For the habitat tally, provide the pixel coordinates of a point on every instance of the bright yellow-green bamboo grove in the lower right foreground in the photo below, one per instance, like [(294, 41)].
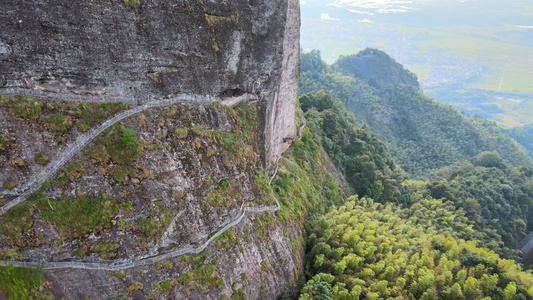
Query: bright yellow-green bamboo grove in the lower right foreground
[(365, 250)]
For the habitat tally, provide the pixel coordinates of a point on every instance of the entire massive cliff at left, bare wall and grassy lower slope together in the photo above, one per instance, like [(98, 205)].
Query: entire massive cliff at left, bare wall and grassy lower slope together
[(171, 200)]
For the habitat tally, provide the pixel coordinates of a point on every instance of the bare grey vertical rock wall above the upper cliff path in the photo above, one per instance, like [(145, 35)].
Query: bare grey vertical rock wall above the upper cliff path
[(136, 51)]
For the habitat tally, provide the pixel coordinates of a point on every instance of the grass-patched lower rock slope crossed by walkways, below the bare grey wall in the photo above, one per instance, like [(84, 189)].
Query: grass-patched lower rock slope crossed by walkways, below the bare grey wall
[(128, 213)]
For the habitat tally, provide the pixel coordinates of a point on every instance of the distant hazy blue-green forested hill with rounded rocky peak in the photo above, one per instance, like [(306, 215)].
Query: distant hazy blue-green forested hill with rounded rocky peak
[(422, 134)]
